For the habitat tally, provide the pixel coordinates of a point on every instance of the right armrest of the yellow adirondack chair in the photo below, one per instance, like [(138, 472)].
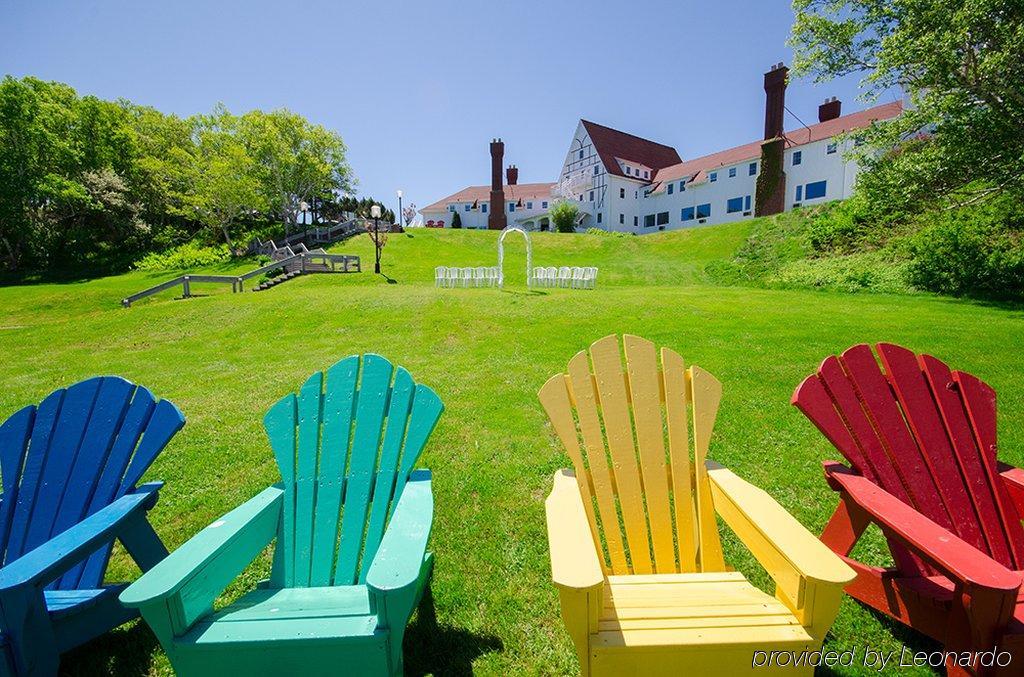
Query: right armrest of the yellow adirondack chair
[(808, 576)]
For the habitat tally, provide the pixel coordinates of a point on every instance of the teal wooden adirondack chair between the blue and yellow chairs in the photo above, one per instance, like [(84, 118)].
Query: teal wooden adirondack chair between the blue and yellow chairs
[(352, 521)]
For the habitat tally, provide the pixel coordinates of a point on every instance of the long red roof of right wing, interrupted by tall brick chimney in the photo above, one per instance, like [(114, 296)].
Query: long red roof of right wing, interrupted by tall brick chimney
[(698, 168)]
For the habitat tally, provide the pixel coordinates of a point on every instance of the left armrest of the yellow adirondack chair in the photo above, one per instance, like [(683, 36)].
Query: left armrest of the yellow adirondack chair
[(575, 563)]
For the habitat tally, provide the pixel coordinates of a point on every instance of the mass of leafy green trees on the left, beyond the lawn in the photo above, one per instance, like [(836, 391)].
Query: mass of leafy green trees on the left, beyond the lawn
[(86, 182)]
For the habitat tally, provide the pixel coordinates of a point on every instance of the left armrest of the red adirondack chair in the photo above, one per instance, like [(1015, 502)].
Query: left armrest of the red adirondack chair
[(946, 552)]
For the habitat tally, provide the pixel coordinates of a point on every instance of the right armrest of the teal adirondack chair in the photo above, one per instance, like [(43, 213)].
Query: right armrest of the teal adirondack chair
[(400, 558)]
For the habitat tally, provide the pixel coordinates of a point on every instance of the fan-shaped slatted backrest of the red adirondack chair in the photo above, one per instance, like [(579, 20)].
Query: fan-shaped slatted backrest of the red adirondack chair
[(910, 431)]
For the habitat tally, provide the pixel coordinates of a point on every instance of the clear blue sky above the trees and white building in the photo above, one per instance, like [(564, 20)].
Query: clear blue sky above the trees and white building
[(418, 90)]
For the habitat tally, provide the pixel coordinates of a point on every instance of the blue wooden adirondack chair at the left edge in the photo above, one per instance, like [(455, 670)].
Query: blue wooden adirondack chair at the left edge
[(69, 470)]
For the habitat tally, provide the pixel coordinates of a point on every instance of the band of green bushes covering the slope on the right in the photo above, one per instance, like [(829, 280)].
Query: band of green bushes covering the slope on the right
[(975, 251)]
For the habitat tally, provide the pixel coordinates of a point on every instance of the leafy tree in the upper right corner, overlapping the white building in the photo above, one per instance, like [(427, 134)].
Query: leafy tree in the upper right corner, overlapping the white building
[(960, 62)]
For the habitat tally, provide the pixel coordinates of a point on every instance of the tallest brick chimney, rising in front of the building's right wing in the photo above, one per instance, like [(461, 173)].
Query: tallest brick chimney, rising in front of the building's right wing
[(771, 191)]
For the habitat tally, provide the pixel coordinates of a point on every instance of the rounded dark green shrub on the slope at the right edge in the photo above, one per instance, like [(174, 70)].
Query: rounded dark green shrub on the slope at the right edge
[(976, 251)]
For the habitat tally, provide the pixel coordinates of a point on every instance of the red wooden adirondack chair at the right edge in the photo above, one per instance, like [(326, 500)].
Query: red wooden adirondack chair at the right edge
[(922, 443)]
